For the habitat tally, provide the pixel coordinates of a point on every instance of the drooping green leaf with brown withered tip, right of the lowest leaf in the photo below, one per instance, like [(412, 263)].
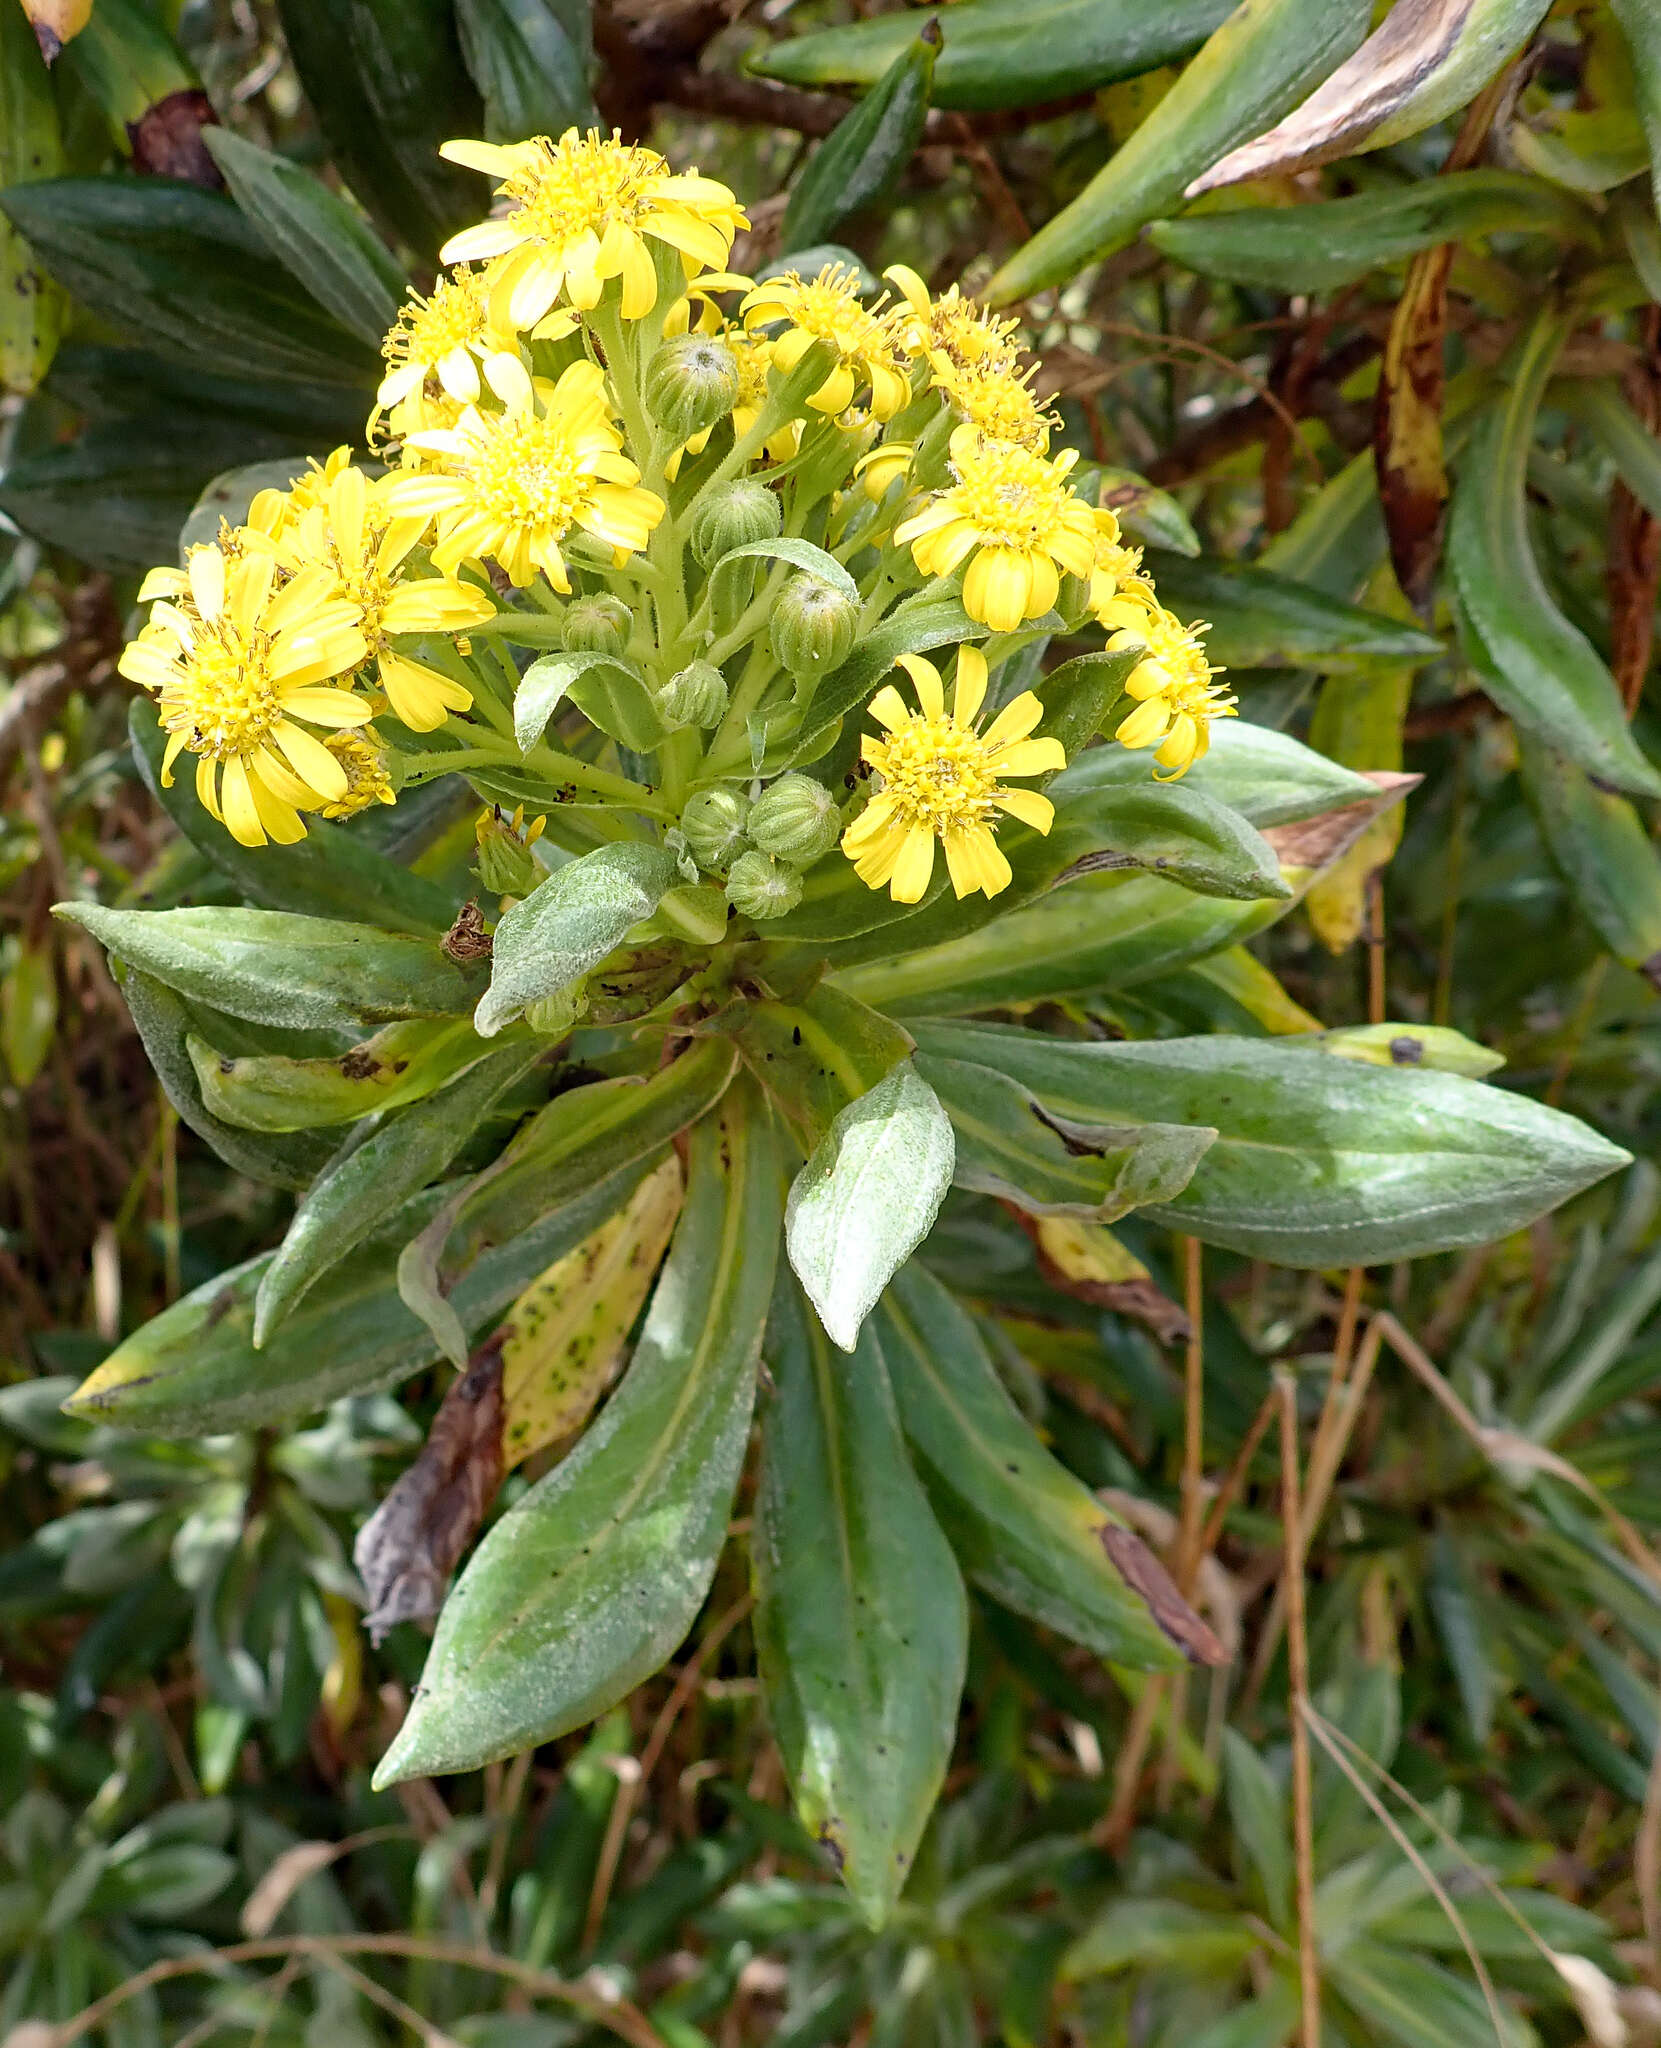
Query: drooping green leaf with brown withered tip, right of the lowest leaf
[(1021, 1525)]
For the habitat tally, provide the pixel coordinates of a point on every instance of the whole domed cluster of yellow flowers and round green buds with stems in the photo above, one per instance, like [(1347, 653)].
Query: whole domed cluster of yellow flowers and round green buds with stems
[(695, 497)]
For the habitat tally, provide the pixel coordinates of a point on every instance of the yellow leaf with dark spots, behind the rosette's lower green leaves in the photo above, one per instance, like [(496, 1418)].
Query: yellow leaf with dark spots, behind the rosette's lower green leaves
[(564, 1338)]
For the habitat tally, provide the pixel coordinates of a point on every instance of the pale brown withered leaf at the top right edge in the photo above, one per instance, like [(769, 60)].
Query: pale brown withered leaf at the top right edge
[(1422, 62)]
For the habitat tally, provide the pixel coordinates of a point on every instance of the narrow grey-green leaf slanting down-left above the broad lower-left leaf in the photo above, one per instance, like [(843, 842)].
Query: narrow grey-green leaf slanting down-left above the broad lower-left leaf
[(380, 1177)]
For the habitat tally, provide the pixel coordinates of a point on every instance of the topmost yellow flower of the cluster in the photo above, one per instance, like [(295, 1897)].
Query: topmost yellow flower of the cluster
[(581, 212)]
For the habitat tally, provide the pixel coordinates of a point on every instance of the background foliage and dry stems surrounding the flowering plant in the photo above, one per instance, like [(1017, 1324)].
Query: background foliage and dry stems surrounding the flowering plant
[(191, 1709)]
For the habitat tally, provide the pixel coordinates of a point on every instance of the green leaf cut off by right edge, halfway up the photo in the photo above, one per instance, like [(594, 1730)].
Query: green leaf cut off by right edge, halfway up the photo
[(1605, 853)]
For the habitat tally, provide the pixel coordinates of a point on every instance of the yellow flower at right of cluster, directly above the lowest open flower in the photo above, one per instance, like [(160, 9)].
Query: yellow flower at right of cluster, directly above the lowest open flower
[(1017, 517)]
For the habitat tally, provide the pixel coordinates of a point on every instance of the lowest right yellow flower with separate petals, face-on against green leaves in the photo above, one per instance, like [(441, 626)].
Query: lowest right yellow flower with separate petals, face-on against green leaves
[(943, 779)]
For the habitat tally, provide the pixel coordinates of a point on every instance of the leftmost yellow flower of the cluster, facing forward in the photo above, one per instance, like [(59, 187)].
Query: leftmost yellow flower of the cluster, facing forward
[(237, 663)]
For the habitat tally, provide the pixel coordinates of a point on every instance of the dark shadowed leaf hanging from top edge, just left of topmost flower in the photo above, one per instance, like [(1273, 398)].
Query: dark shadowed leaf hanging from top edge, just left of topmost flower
[(388, 85)]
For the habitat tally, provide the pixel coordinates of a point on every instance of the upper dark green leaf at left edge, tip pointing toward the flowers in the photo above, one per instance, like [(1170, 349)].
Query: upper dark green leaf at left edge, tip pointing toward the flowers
[(185, 271)]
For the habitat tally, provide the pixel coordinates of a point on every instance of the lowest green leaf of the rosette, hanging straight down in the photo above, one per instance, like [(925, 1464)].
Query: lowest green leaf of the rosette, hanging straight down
[(861, 1623)]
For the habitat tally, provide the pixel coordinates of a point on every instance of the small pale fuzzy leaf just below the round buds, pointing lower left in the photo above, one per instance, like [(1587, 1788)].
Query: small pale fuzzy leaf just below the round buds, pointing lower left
[(568, 925)]
